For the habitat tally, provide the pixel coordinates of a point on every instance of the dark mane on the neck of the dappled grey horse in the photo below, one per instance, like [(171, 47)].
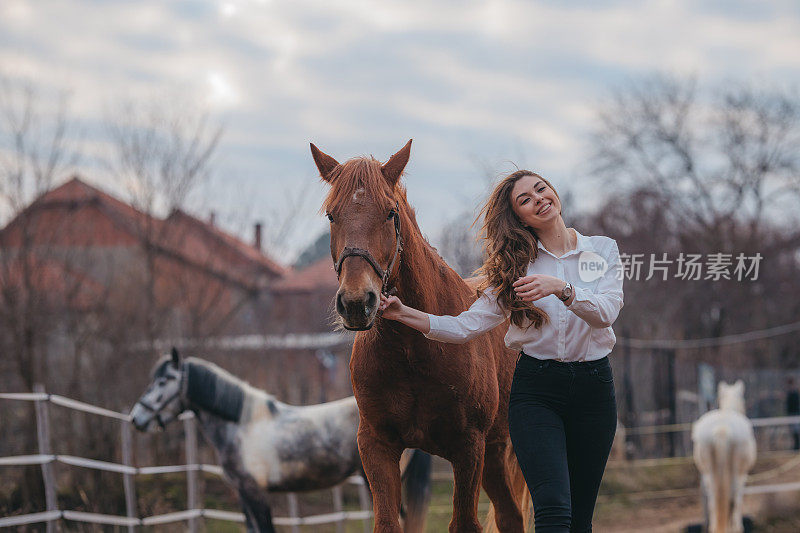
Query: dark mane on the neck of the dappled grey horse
[(214, 389)]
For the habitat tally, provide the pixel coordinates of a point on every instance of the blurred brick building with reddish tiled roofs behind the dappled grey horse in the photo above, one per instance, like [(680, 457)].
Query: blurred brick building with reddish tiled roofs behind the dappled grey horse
[(77, 251)]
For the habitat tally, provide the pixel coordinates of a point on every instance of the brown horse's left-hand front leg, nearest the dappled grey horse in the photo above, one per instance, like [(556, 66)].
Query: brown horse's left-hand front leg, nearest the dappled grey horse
[(381, 460)]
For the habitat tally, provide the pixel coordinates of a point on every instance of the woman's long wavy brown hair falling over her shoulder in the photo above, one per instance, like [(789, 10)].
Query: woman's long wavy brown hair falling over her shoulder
[(509, 247)]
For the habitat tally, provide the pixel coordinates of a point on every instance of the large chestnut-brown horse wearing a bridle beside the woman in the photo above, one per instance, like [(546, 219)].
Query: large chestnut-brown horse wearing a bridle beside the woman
[(449, 400)]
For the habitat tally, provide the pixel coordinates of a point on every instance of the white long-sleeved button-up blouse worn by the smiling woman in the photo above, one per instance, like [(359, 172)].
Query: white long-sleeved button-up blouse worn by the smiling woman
[(578, 332)]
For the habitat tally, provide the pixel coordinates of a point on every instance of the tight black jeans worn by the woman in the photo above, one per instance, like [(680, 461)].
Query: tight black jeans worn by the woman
[(562, 418)]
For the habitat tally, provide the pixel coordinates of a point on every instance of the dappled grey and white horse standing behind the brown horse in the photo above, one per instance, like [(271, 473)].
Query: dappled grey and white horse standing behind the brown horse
[(265, 446)]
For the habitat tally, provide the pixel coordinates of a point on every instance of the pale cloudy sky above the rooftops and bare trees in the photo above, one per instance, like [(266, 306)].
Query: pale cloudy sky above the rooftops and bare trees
[(476, 84)]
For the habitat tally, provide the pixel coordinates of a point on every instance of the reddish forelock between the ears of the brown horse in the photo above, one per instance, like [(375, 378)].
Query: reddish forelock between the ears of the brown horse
[(361, 173)]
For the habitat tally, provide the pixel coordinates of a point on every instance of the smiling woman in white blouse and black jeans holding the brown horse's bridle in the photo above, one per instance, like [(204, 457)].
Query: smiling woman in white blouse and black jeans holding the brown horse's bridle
[(562, 409)]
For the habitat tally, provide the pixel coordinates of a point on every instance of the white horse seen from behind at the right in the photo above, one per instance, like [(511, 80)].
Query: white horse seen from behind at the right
[(724, 451)]
